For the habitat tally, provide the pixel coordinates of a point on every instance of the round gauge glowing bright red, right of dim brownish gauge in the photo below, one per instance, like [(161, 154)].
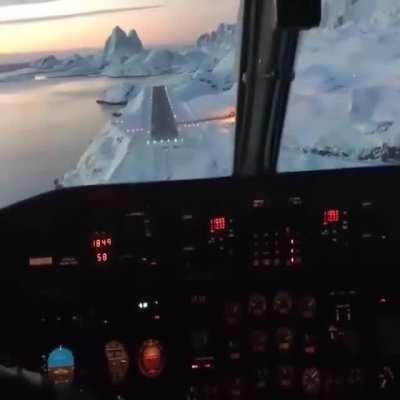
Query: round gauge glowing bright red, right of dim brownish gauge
[(151, 359)]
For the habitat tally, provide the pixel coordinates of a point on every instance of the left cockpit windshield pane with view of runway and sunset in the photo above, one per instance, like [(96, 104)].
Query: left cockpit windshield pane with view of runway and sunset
[(115, 91)]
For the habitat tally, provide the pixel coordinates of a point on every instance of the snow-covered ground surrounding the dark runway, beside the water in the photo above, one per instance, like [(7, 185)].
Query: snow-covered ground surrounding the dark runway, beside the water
[(126, 152)]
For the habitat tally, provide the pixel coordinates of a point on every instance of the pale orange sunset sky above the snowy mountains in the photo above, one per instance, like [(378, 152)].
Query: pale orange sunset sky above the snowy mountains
[(39, 26)]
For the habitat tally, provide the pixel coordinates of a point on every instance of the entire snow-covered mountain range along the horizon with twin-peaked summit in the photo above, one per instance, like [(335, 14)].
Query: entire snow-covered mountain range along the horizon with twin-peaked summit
[(210, 60)]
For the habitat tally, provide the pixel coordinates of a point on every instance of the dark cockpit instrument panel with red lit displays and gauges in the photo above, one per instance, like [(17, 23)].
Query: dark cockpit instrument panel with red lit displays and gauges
[(208, 290)]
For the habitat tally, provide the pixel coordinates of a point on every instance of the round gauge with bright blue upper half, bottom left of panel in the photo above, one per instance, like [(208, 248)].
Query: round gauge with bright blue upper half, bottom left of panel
[(61, 366)]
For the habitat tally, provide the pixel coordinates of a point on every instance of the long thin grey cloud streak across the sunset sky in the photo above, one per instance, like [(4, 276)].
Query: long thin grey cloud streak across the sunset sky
[(70, 16)]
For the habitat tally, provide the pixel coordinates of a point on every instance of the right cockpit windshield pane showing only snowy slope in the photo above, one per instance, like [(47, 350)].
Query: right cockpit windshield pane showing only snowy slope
[(344, 104)]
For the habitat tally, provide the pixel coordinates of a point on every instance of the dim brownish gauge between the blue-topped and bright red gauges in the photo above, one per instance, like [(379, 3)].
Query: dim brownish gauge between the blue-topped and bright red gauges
[(118, 361)]
